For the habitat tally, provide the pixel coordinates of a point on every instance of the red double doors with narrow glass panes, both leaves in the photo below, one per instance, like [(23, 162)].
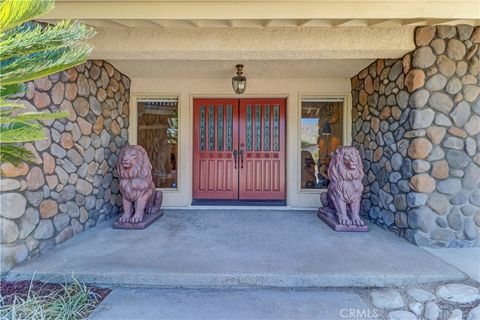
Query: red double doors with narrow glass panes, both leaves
[(239, 149)]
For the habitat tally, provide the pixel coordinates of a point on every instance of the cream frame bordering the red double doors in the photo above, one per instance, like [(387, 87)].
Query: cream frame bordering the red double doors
[(286, 97)]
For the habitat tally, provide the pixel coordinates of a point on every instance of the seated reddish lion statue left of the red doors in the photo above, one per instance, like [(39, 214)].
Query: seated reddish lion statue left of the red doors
[(136, 185)]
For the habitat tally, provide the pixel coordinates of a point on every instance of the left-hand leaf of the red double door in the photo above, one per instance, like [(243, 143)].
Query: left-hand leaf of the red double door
[(215, 172)]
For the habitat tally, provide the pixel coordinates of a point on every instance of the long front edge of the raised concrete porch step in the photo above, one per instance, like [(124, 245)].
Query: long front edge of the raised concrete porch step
[(241, 280)]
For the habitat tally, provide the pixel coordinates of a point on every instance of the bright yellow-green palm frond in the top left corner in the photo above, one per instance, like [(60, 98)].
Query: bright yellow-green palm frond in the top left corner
[(16, 12)]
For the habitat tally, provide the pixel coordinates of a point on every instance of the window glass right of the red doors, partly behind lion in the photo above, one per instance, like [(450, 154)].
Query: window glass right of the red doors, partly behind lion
[(321, 126)]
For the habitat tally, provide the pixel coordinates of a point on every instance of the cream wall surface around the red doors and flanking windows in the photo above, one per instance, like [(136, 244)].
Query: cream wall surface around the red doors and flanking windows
[(292, 89)]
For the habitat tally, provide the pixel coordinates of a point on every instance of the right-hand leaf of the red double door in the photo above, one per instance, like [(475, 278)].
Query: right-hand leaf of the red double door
[(262, 149)]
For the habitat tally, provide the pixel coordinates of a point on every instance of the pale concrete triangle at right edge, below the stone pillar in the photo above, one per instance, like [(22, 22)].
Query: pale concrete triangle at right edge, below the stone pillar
[(464, 259)]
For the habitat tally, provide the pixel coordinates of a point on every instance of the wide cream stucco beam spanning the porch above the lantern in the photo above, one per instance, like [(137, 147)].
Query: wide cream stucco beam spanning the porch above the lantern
[(244, 44)]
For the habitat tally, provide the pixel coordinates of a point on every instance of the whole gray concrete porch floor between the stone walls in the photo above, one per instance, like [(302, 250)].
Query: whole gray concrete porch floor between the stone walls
[(233, 248)]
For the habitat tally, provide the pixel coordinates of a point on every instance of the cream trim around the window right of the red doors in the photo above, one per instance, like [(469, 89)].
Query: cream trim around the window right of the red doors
[(346, 130)]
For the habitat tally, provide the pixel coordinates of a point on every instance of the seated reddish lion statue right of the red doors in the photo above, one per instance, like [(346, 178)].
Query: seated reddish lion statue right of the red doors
[(344, 192)]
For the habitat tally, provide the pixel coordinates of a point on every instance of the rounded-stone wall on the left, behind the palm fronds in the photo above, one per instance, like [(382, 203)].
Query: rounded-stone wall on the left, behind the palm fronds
[(72, 184)]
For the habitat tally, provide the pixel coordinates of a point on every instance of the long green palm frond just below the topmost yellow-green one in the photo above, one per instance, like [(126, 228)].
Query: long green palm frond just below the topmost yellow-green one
[(33, 37)]
